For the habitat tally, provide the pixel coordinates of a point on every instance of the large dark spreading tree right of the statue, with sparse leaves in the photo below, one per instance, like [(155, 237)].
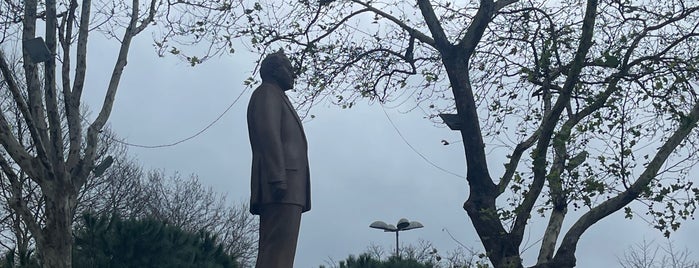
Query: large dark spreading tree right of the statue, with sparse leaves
[(594, 103)]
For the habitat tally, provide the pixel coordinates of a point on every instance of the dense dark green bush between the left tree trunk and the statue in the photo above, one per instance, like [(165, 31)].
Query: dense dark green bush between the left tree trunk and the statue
[(110, 241)]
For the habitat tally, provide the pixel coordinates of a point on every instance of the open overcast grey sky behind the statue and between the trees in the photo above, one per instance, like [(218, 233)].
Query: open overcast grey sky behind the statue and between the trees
[(361, 169)]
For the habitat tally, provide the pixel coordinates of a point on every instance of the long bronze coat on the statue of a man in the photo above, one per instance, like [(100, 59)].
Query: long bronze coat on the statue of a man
[(279, 149)]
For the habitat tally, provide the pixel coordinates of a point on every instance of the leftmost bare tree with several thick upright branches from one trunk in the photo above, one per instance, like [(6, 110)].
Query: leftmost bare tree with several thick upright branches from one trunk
[(59, 175)]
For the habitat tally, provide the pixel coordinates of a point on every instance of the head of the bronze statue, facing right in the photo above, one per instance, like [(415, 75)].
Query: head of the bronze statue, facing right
[(276, 68)]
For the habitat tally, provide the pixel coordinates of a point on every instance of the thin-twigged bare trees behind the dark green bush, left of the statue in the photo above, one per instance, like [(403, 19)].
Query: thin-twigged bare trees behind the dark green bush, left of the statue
[(125, 190)]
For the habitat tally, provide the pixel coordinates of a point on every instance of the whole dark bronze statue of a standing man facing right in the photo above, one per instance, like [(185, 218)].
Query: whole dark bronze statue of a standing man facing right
[(280, 185)]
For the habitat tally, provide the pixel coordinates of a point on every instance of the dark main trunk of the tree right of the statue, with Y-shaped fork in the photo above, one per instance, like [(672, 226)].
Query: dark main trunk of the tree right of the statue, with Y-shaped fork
[(501, 247)]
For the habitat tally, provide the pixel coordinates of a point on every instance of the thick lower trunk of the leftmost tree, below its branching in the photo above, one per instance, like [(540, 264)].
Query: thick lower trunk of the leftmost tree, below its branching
[(57, 247)]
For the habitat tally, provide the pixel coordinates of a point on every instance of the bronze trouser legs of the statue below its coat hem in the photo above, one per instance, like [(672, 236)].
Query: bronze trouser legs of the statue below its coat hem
[(279, 230)]
